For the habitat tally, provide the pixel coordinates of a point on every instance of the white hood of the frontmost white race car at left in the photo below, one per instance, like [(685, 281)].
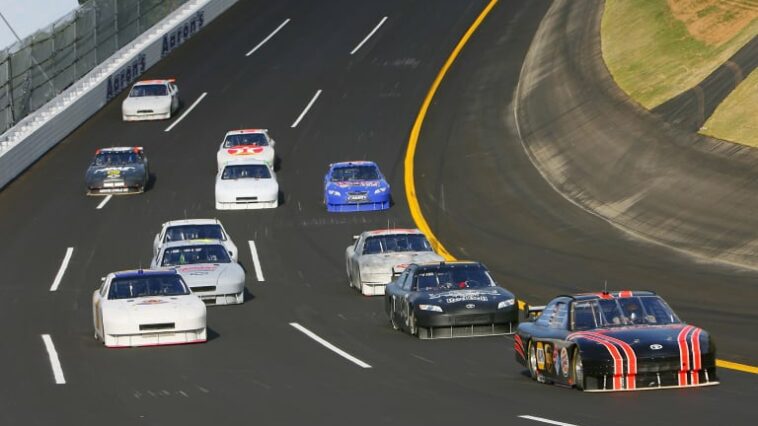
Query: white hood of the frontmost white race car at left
[(154, 309)]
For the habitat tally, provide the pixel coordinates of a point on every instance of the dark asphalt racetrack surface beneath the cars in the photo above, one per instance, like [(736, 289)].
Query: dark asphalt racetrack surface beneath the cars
[(478, 189)]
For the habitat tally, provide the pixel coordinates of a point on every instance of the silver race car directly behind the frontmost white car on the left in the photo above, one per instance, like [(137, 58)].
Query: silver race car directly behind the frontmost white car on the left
[(207, 269)]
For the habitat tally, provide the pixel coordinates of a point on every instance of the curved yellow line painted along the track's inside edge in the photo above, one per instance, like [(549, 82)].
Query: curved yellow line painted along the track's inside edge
[(410, 153)]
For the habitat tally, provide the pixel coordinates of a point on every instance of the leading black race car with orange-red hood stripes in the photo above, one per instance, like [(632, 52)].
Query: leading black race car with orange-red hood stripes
[(614, 341)]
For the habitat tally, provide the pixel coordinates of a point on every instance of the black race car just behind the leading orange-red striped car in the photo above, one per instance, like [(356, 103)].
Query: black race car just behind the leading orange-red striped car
[(449, 299)]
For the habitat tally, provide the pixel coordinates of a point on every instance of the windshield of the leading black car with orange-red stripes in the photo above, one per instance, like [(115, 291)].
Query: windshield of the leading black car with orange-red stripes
[(639, 310)]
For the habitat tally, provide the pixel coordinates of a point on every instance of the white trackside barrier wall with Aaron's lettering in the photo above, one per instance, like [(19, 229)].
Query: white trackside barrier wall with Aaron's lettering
[(31, 138)]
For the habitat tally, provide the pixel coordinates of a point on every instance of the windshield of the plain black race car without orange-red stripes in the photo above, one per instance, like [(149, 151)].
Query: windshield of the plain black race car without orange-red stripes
[(452, 277)]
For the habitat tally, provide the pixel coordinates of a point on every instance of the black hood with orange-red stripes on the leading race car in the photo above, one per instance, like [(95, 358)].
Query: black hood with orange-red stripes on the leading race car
[(650, 341)]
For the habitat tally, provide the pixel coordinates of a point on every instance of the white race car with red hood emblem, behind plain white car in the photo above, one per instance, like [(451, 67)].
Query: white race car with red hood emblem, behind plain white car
[(247, 143)]
